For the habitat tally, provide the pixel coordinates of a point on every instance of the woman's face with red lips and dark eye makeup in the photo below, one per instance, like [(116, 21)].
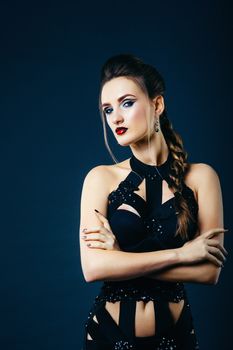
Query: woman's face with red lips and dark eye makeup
[(126, 106)]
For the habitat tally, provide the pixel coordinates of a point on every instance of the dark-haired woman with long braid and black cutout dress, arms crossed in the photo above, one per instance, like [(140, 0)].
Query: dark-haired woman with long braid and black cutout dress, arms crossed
[(148, 223)]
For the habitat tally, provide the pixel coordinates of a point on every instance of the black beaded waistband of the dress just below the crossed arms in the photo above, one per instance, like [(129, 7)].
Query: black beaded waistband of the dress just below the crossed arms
[(141, 289)]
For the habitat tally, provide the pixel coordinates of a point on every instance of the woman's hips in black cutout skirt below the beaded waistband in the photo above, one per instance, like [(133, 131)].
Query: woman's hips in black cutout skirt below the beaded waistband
[(163, 324)]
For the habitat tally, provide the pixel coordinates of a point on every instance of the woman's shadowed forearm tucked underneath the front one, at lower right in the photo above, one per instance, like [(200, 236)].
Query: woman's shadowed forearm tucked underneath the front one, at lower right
[(205, 272)]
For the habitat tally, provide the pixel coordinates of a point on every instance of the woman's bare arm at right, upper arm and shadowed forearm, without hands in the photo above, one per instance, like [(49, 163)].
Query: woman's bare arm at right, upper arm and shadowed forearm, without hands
[(210, 215)]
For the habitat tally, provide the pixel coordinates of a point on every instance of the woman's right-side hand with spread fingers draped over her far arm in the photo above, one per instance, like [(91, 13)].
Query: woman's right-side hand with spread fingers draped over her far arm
[(204, 247)]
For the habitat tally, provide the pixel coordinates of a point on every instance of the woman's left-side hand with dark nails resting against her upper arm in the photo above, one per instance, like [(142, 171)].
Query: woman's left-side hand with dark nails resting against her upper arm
[(104, 238)]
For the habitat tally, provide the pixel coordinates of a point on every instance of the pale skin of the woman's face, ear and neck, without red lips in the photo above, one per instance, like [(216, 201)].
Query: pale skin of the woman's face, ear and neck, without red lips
[(134, 118)]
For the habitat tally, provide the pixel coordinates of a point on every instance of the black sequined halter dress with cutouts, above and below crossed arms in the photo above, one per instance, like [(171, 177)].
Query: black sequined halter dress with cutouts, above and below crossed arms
[(151, 228)]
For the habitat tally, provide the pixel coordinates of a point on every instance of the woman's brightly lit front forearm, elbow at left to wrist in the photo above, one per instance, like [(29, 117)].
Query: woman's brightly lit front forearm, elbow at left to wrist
[(120, 265)]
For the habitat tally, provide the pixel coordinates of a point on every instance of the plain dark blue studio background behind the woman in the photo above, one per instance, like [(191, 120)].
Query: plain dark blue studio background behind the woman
[(51, 136)]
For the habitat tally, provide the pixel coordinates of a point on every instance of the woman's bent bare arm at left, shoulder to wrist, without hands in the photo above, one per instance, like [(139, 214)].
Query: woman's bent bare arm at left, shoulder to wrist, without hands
[(99, 264)]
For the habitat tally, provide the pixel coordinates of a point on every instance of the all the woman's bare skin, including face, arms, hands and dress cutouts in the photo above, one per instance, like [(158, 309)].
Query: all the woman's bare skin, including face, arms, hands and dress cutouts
[(198, 261)]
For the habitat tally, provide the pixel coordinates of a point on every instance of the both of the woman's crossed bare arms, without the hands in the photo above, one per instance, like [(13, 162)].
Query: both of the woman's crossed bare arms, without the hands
[(167, 265)]
